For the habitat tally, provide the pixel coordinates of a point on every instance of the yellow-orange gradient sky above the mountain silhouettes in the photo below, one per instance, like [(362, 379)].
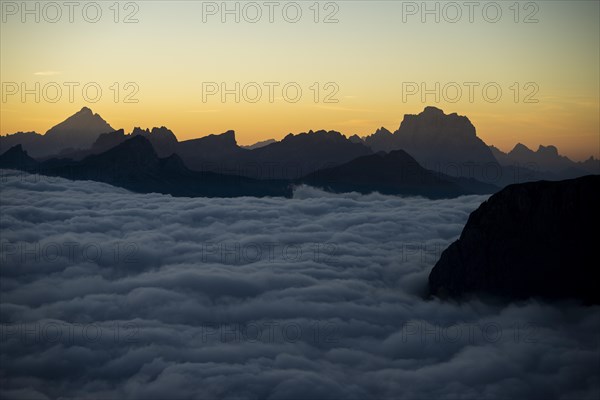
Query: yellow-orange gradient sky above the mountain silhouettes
[(370, 54)]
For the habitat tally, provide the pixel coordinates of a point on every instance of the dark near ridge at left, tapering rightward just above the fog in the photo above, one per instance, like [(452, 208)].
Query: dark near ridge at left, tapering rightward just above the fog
[(134, 165)]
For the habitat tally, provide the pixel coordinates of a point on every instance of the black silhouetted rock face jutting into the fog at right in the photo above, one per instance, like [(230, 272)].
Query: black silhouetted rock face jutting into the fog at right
[(531, 239)]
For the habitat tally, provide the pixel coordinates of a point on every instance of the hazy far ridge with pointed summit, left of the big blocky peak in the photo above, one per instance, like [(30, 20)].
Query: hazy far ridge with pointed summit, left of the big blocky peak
[(291, 158)]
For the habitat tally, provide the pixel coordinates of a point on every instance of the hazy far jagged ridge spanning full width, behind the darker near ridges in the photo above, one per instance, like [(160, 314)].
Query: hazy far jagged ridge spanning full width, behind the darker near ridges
[(446, 144)]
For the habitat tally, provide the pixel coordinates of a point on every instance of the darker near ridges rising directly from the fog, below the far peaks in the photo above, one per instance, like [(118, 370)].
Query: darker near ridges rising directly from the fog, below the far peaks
[(135, 165)]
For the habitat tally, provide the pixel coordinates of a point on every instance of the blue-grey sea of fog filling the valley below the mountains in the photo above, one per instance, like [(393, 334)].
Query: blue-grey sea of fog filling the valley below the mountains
[(110, 294)]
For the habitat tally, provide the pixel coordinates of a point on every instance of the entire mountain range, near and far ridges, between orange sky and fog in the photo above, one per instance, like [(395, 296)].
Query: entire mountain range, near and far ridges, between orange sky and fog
[(431, 154)]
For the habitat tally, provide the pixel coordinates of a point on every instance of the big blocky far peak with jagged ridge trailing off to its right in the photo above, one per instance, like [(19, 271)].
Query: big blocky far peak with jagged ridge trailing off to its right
[(449, 144)]
